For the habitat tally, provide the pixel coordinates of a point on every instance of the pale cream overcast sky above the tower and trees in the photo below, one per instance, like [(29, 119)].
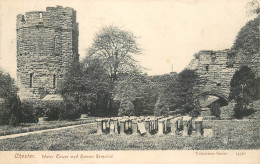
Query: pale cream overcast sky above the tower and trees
[(170, 32)]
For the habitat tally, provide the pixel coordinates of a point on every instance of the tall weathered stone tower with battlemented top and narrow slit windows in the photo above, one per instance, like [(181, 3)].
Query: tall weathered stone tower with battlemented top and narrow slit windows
[(47, 46)]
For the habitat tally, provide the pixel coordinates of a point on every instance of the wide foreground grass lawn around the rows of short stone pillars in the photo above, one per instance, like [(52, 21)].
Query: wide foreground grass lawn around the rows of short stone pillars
[(229, 134)]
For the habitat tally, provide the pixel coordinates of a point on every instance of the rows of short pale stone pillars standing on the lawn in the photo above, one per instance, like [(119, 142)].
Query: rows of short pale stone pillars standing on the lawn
[(133, 125)]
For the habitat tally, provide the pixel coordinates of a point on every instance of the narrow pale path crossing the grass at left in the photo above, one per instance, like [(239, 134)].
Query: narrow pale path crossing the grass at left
[(41, 131)]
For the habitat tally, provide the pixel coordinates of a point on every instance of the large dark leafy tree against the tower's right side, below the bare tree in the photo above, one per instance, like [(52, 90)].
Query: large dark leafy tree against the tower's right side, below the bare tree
[(86, 88)]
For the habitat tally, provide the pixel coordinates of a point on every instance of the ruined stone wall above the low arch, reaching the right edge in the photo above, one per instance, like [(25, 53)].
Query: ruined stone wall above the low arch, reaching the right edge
[(216, 69)]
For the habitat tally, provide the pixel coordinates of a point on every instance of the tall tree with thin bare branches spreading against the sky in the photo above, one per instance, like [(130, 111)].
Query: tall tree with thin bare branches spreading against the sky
[(115, 48)]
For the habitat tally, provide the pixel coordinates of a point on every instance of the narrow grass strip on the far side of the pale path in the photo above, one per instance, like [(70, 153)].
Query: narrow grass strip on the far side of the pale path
[(28, 127)]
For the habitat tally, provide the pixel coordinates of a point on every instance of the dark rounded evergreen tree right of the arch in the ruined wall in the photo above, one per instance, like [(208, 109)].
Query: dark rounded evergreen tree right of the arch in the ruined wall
[(243, 87)]
